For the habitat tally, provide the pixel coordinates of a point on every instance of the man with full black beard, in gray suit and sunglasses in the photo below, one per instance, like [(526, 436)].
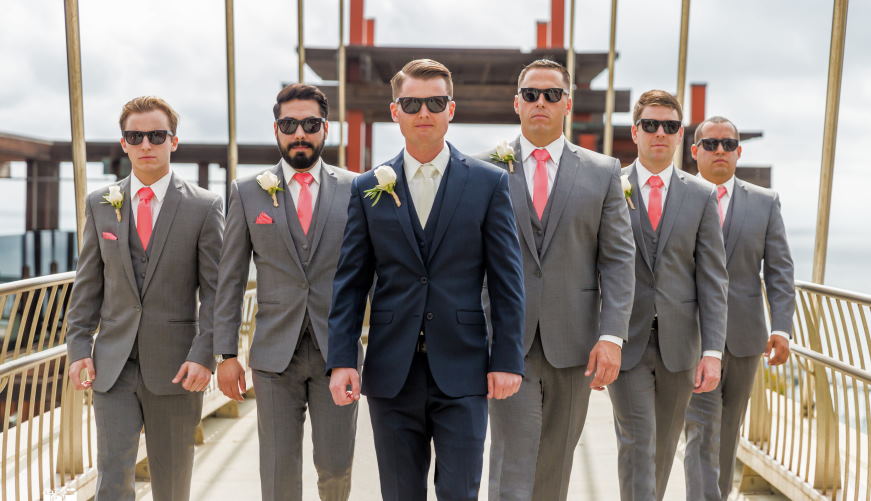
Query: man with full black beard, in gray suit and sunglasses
[(290, 218)]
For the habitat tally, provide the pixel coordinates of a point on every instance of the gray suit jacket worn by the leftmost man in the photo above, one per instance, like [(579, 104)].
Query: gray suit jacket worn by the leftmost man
[(185, 248)]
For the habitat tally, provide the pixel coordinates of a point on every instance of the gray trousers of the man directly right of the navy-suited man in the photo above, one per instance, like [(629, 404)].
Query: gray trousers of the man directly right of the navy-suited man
[(534, 433)]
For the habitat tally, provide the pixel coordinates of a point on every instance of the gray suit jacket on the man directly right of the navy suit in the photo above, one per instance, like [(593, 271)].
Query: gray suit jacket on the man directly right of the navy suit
[(580, 285)]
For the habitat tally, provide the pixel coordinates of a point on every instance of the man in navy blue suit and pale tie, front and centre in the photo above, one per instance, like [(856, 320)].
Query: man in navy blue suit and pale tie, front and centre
[(428, 371)]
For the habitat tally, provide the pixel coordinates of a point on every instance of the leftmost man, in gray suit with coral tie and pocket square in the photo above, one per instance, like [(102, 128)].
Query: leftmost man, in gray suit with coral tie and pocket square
[(151, 247)]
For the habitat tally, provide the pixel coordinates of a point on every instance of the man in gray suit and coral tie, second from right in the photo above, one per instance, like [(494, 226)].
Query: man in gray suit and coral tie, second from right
[(678, 326)]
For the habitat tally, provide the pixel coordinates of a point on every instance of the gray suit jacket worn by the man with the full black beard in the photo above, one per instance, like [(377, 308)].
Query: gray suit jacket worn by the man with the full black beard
[(284, 288)]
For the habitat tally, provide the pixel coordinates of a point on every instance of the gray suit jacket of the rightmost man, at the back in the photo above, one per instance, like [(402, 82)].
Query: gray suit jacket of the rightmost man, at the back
[(756, 237)]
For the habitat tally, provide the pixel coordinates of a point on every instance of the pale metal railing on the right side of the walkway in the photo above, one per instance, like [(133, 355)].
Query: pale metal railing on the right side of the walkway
[(809, 419)]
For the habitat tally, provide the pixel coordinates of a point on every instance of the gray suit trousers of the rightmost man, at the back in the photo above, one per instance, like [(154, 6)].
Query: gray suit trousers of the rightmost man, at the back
[(712, 426)]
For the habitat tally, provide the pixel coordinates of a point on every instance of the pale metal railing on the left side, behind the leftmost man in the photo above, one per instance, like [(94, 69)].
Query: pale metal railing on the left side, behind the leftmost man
[(47, 439)]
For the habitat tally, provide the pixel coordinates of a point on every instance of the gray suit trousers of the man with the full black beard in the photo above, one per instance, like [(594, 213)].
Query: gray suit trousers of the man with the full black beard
[(282, 399)]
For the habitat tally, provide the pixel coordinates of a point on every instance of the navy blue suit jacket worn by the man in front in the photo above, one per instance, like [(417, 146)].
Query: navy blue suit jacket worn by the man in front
[(475, 235)]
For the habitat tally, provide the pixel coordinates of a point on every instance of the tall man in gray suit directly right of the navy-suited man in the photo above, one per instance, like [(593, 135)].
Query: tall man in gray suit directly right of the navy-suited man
[(578, 254)]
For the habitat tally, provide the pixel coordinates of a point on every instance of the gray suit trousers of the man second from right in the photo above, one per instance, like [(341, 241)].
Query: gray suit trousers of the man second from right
[(649, 408)]
